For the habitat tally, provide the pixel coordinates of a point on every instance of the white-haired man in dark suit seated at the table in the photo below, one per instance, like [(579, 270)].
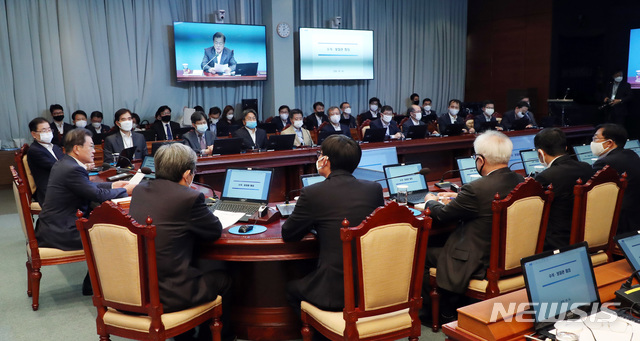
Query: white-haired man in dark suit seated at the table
[(465, 254)]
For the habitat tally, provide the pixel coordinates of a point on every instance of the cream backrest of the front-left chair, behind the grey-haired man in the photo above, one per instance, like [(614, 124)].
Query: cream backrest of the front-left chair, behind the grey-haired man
[(121, 256)]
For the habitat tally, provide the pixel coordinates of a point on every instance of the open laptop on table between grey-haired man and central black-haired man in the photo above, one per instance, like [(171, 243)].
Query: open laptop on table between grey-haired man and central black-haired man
[(245, 190)]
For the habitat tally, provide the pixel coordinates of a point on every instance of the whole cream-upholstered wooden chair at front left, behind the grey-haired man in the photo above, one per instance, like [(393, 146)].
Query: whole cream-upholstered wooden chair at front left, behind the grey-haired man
[(121, 255)]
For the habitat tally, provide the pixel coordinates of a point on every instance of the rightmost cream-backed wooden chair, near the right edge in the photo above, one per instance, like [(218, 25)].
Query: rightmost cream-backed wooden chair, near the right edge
[(596, 209)]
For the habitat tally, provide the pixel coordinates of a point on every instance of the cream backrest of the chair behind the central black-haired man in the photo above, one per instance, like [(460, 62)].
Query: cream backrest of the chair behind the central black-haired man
[(390, 250)]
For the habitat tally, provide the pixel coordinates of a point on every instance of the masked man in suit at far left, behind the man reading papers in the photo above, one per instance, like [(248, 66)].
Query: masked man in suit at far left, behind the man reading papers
[(42, 155)]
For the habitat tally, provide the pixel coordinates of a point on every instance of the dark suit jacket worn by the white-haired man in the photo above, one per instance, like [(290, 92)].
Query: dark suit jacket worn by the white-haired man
[(466, 251)]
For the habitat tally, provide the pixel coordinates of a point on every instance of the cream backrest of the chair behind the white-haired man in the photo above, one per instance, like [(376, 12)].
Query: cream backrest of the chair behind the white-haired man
[(518, 229)]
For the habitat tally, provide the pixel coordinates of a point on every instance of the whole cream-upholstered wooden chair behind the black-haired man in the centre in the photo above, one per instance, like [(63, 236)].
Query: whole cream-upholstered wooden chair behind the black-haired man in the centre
[(390, 250)]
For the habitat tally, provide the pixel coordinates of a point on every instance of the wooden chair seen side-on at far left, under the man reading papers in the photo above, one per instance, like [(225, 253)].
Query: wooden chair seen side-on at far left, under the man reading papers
[(37, 257)]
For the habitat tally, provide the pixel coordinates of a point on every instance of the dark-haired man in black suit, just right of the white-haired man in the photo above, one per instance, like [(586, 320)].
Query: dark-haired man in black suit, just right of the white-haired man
[(562, 172)]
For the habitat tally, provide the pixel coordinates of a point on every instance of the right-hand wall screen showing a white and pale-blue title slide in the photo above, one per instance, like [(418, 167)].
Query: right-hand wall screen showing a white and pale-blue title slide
[(327, 54)]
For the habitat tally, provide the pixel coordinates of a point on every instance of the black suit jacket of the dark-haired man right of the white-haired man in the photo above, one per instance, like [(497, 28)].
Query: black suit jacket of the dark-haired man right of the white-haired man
[(563, 173)]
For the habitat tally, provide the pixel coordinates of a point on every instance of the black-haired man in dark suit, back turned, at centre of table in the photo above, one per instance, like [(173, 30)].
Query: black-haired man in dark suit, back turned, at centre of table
[(350, 198)]
